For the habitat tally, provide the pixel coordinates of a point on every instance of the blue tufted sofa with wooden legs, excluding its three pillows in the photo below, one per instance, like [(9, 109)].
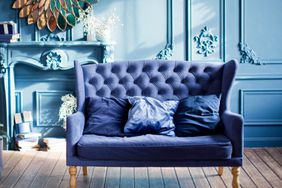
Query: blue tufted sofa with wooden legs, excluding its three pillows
[(162, 80)]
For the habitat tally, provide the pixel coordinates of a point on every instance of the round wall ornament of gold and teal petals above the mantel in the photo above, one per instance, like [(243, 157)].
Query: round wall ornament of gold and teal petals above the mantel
[(54, 14)]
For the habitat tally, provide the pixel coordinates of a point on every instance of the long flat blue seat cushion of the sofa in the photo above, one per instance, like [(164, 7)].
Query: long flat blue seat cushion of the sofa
[(154, 147)]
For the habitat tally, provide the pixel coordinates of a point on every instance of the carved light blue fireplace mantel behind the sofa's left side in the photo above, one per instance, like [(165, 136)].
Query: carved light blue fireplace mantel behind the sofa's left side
[(24, 65)]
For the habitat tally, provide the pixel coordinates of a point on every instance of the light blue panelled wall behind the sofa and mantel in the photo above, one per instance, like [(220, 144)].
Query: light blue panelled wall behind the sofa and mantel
[(255, 24)]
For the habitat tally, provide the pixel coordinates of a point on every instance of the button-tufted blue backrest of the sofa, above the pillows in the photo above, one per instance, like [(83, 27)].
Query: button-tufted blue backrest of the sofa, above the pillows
[(155, 78)]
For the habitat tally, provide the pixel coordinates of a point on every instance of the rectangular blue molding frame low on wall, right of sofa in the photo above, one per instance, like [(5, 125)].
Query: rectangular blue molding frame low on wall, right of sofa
[(258, 121)]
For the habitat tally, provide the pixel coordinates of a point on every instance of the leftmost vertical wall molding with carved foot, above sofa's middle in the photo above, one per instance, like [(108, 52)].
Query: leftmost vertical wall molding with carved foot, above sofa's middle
[(167, 52)]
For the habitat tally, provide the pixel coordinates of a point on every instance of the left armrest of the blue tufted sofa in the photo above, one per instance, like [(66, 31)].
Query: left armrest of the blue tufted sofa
[(75, 126)]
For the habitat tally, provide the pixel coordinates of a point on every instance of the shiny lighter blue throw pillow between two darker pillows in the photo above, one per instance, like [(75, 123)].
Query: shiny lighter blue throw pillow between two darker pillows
[(150, 116)]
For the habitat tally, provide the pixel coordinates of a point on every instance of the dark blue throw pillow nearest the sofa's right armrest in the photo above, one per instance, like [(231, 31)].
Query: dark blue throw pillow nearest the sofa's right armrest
[(197, 115)]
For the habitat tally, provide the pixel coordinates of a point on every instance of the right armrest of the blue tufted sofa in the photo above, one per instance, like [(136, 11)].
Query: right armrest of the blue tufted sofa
[(233, 129)]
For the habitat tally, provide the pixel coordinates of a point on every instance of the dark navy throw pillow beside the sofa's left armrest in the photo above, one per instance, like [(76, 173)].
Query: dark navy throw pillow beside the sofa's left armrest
[(106, 116)]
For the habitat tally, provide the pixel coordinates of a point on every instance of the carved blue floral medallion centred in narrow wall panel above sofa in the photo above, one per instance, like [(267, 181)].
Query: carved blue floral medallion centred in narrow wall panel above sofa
[(206, 42)]
